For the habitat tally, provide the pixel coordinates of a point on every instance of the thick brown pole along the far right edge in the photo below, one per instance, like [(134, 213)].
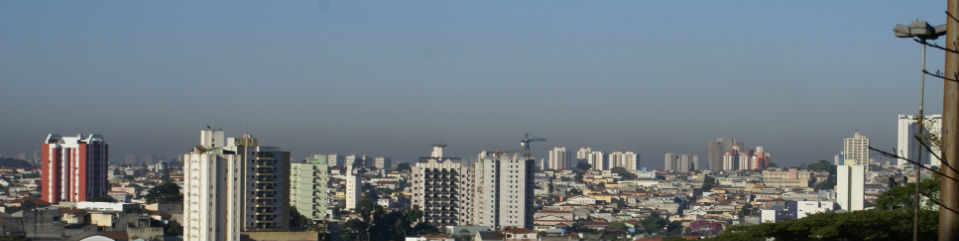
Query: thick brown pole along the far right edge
[(949, 221)]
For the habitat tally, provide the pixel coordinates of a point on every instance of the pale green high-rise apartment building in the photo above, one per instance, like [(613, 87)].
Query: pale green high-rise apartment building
[(308, 187)]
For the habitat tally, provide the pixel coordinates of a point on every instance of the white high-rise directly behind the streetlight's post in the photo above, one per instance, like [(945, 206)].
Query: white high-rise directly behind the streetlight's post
[(908, 145)]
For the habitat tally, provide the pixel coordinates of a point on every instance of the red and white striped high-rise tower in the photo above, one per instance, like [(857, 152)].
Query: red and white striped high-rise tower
[(74, 168)]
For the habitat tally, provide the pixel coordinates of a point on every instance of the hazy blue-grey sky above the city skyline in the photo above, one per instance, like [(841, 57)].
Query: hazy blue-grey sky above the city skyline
[(392, 78)]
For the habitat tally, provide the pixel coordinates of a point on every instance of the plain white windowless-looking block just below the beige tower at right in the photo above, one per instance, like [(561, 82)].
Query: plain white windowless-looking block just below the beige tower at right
[(850, 184)]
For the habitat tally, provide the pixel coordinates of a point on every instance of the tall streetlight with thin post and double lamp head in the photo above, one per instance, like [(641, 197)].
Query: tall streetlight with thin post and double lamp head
[(920, 31)]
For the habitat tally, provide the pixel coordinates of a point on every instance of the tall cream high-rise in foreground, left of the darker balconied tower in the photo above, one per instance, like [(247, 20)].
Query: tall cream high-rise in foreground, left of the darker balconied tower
[(212, 200)]
